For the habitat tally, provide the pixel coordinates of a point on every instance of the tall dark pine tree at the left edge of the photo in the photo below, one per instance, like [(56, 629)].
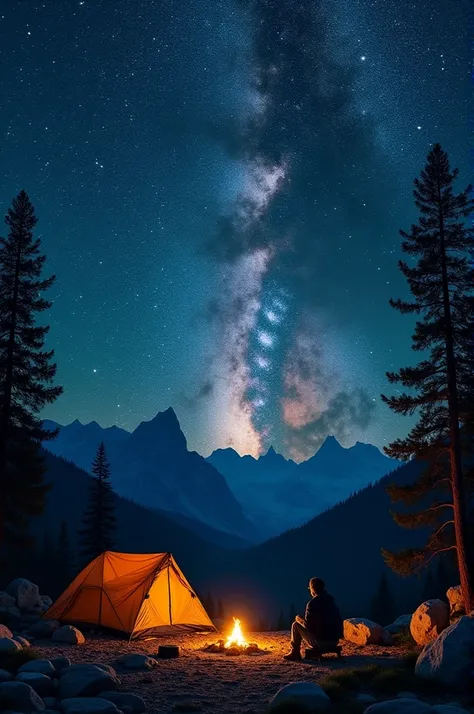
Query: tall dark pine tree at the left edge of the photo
[(26, 373)]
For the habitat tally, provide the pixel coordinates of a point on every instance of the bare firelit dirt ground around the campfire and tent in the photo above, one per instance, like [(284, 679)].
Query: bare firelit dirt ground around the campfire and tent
[(211, 683)]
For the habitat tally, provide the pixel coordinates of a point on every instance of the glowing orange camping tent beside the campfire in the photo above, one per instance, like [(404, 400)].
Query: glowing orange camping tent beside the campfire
[(142, 595)]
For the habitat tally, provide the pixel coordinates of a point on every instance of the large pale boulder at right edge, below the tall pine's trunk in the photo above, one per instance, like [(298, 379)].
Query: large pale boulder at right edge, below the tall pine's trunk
[(449, 660)]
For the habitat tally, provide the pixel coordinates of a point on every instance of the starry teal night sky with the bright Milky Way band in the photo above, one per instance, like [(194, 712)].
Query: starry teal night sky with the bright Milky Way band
[(219, 186)]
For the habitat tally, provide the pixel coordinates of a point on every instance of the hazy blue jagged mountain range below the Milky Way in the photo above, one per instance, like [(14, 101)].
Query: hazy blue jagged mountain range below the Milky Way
[(249, 498)]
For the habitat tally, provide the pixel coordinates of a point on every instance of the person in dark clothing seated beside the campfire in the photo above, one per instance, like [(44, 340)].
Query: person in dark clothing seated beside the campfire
[(322, 626)]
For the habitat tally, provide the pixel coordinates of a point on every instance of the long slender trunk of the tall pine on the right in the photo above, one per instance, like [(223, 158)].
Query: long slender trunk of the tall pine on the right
[(455, 453)]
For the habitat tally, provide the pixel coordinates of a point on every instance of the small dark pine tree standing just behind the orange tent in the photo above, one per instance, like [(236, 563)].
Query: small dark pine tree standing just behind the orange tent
[(98, 524)]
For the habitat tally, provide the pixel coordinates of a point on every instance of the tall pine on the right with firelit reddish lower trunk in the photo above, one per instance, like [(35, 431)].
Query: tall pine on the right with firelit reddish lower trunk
[(441, 386)]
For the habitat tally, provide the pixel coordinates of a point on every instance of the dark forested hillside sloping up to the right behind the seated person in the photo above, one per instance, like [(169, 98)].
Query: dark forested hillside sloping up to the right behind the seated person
[(341, 545)]
